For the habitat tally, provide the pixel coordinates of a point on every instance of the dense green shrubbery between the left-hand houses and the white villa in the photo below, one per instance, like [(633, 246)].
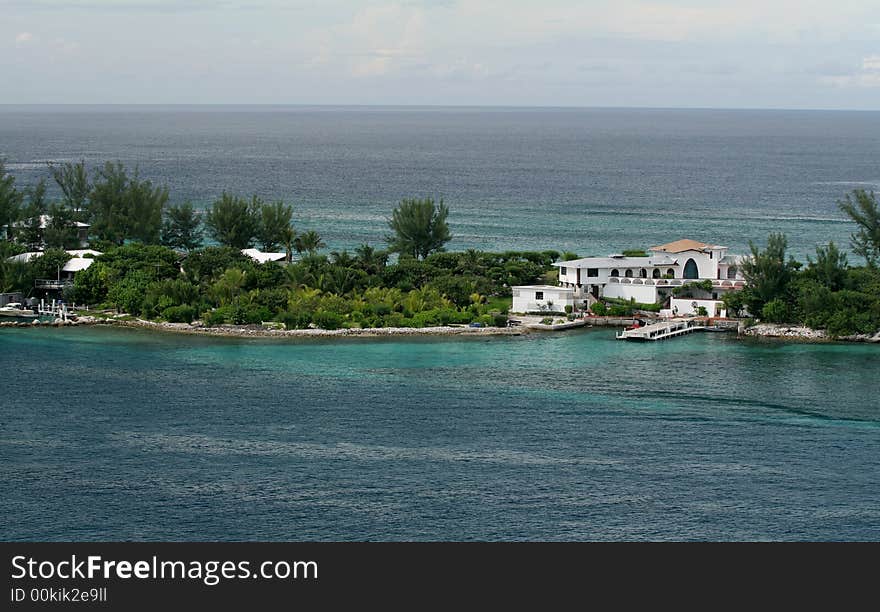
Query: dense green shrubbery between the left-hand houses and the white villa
[(221, 286)]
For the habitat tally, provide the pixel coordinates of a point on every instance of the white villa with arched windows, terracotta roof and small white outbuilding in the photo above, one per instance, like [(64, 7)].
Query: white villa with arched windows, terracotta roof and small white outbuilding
[(648, 280)]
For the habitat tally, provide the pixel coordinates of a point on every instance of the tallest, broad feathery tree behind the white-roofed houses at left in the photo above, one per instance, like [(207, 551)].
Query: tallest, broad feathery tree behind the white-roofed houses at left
[(125, 208)]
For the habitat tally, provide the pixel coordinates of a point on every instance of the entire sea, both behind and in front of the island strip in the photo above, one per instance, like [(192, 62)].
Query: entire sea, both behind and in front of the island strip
[(130, 435)]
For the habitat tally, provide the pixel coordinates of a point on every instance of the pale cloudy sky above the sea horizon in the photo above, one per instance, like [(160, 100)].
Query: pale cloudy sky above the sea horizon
[(632, 53)]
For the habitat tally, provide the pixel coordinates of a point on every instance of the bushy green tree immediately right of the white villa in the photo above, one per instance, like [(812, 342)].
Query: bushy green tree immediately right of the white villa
[(767, 272)]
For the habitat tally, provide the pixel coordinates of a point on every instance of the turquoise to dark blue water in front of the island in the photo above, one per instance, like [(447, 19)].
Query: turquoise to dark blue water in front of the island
[(123, 434)]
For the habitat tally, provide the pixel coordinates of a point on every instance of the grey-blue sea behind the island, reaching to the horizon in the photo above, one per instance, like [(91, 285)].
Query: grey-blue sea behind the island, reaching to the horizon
[(593, 181)]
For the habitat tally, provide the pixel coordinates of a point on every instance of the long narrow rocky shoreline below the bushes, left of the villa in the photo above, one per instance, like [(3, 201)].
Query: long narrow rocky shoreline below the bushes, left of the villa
[(259, 331)]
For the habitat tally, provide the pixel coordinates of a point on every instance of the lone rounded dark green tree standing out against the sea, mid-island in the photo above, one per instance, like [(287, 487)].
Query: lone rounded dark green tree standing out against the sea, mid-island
[(419, 227)]
